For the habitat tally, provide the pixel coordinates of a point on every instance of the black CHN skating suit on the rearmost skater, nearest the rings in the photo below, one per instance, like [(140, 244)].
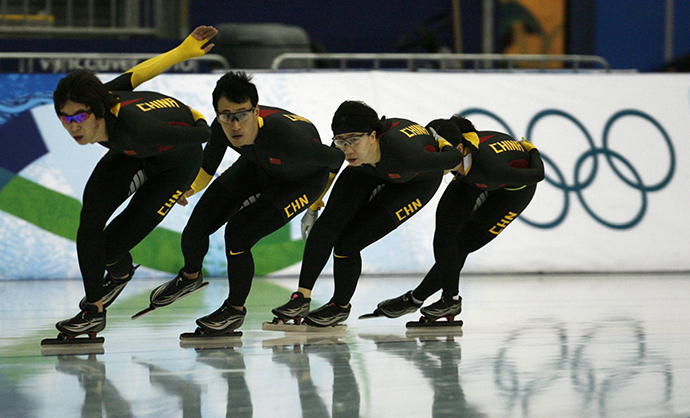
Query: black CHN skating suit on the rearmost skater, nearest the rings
[(498, 183)]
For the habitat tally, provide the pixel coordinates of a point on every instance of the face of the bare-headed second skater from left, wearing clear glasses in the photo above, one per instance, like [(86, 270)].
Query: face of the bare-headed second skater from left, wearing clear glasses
[(240, 121)]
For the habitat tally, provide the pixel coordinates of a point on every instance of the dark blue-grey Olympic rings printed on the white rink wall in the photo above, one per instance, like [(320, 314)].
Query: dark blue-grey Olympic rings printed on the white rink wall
[(581, 182)]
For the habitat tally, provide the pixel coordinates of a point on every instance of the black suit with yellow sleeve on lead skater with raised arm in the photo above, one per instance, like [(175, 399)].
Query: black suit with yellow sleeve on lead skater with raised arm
[(154, 152)]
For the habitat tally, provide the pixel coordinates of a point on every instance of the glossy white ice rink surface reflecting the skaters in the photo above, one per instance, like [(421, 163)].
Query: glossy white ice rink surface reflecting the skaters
[(531, 346)]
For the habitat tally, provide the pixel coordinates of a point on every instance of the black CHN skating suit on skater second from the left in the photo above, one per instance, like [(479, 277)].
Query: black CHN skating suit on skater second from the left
[(280, 175)]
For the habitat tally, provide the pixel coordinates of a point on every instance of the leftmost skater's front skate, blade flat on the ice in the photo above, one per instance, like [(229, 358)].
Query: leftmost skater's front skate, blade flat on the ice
[(89, 322)]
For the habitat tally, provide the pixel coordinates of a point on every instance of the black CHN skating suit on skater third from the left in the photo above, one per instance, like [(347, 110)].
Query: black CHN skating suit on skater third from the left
[(367, 202)]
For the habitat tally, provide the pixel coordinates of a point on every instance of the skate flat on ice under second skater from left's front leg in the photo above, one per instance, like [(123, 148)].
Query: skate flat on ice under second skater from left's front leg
[(220, 325)]
